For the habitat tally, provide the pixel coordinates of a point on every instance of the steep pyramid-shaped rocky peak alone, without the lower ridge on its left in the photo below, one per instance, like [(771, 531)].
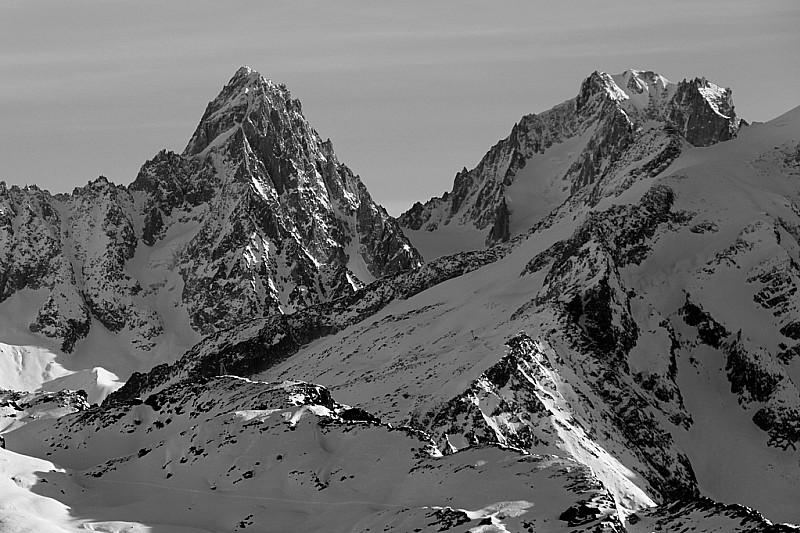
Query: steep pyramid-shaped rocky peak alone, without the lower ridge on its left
[(318, 233)]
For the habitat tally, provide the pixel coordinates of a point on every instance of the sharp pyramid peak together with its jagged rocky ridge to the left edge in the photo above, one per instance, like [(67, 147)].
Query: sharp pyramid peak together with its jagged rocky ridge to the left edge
[(257, 217)]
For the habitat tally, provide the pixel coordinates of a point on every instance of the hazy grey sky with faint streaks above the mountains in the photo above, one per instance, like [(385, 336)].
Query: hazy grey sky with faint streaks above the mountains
[(409, 92)]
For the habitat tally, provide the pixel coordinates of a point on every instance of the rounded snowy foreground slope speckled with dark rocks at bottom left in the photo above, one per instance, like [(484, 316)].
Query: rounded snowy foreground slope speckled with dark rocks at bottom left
[(235, 455)]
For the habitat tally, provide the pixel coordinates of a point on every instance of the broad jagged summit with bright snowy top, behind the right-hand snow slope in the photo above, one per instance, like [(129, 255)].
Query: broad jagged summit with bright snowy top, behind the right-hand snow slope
[(609, 128)]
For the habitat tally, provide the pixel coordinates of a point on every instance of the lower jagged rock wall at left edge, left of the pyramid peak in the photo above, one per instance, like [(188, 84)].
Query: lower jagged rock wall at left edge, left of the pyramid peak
[(77, 247)]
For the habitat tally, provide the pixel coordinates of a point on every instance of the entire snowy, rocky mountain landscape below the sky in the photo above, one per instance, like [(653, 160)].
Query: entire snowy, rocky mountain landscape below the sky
[(603, 336)]
